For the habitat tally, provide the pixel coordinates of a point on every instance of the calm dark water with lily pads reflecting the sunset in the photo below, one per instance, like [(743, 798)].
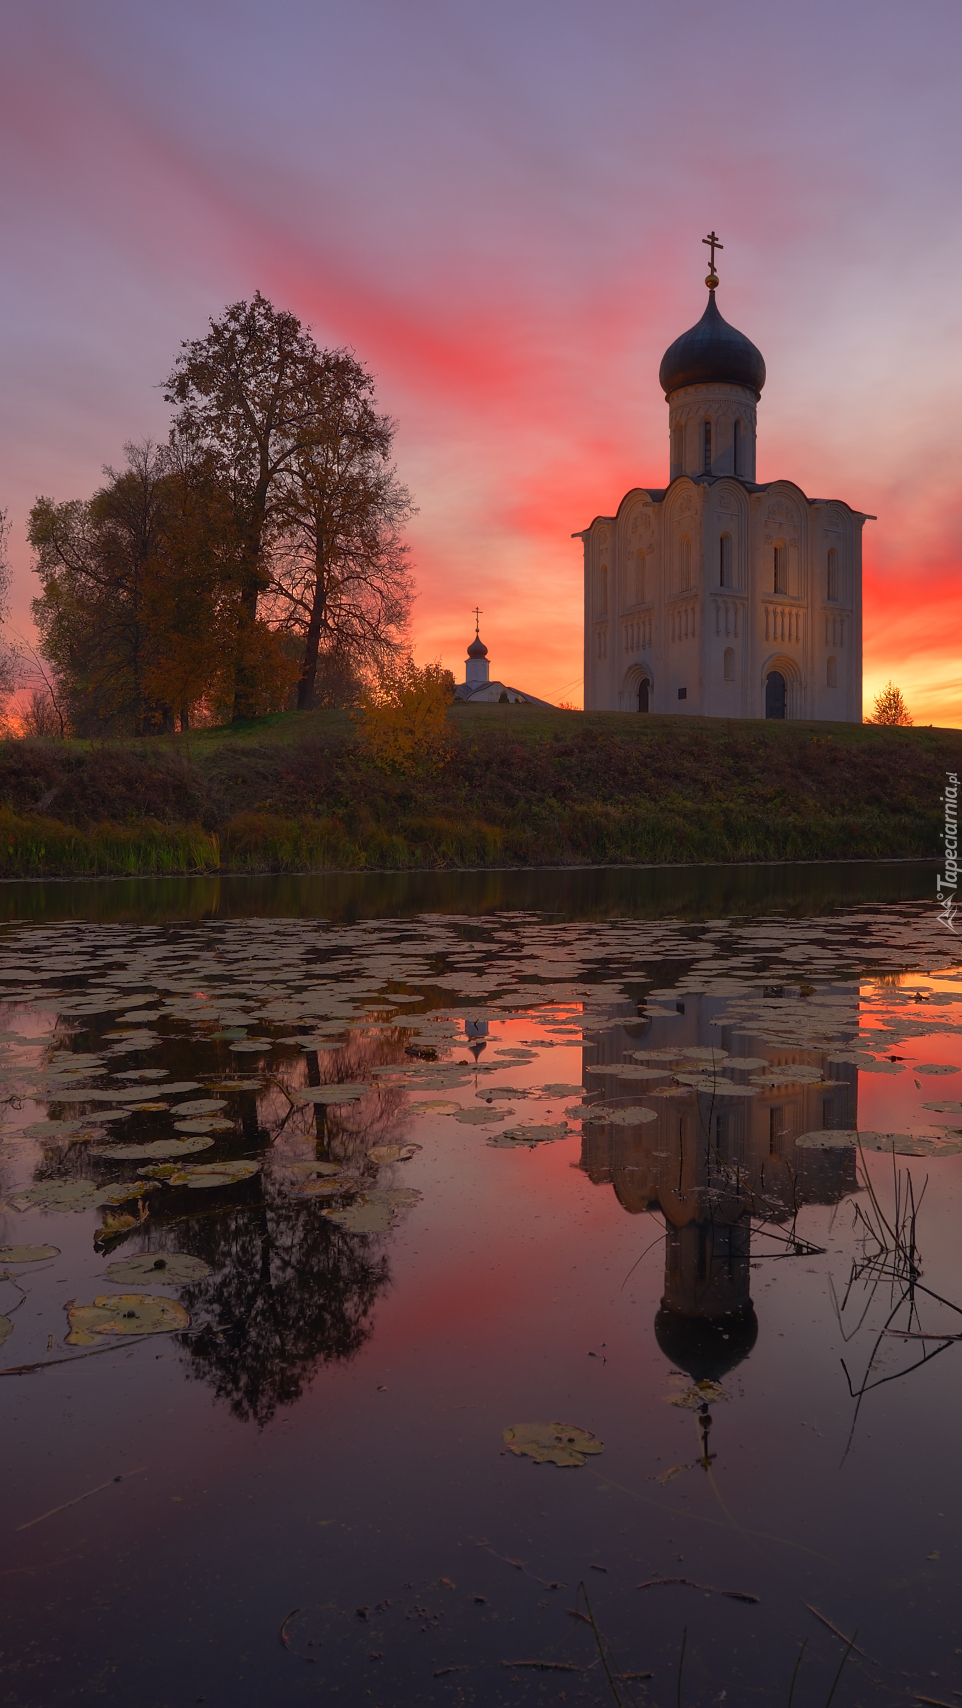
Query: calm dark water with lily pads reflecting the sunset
[(319, 1191)]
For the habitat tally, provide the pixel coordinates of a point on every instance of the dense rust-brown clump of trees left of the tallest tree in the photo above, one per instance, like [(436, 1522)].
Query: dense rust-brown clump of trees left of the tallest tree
[(141, 605)]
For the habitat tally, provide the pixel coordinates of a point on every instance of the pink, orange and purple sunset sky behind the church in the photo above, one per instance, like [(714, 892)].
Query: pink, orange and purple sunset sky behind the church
[(502, 208)]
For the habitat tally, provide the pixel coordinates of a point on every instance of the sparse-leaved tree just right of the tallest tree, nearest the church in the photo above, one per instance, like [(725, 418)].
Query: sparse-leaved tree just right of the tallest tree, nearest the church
[(339, 566)]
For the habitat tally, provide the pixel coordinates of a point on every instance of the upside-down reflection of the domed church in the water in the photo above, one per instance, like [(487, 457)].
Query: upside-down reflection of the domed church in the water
[(712, 1169)]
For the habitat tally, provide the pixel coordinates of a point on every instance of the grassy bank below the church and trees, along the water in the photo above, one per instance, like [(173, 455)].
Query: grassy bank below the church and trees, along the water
[(525, 788)]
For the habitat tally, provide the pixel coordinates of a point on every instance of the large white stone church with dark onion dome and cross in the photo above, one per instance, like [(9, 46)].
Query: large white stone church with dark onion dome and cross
[(715, 595)]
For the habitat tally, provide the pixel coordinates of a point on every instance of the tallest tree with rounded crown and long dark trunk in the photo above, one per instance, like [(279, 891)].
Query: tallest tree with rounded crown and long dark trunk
[(249, 394)]
